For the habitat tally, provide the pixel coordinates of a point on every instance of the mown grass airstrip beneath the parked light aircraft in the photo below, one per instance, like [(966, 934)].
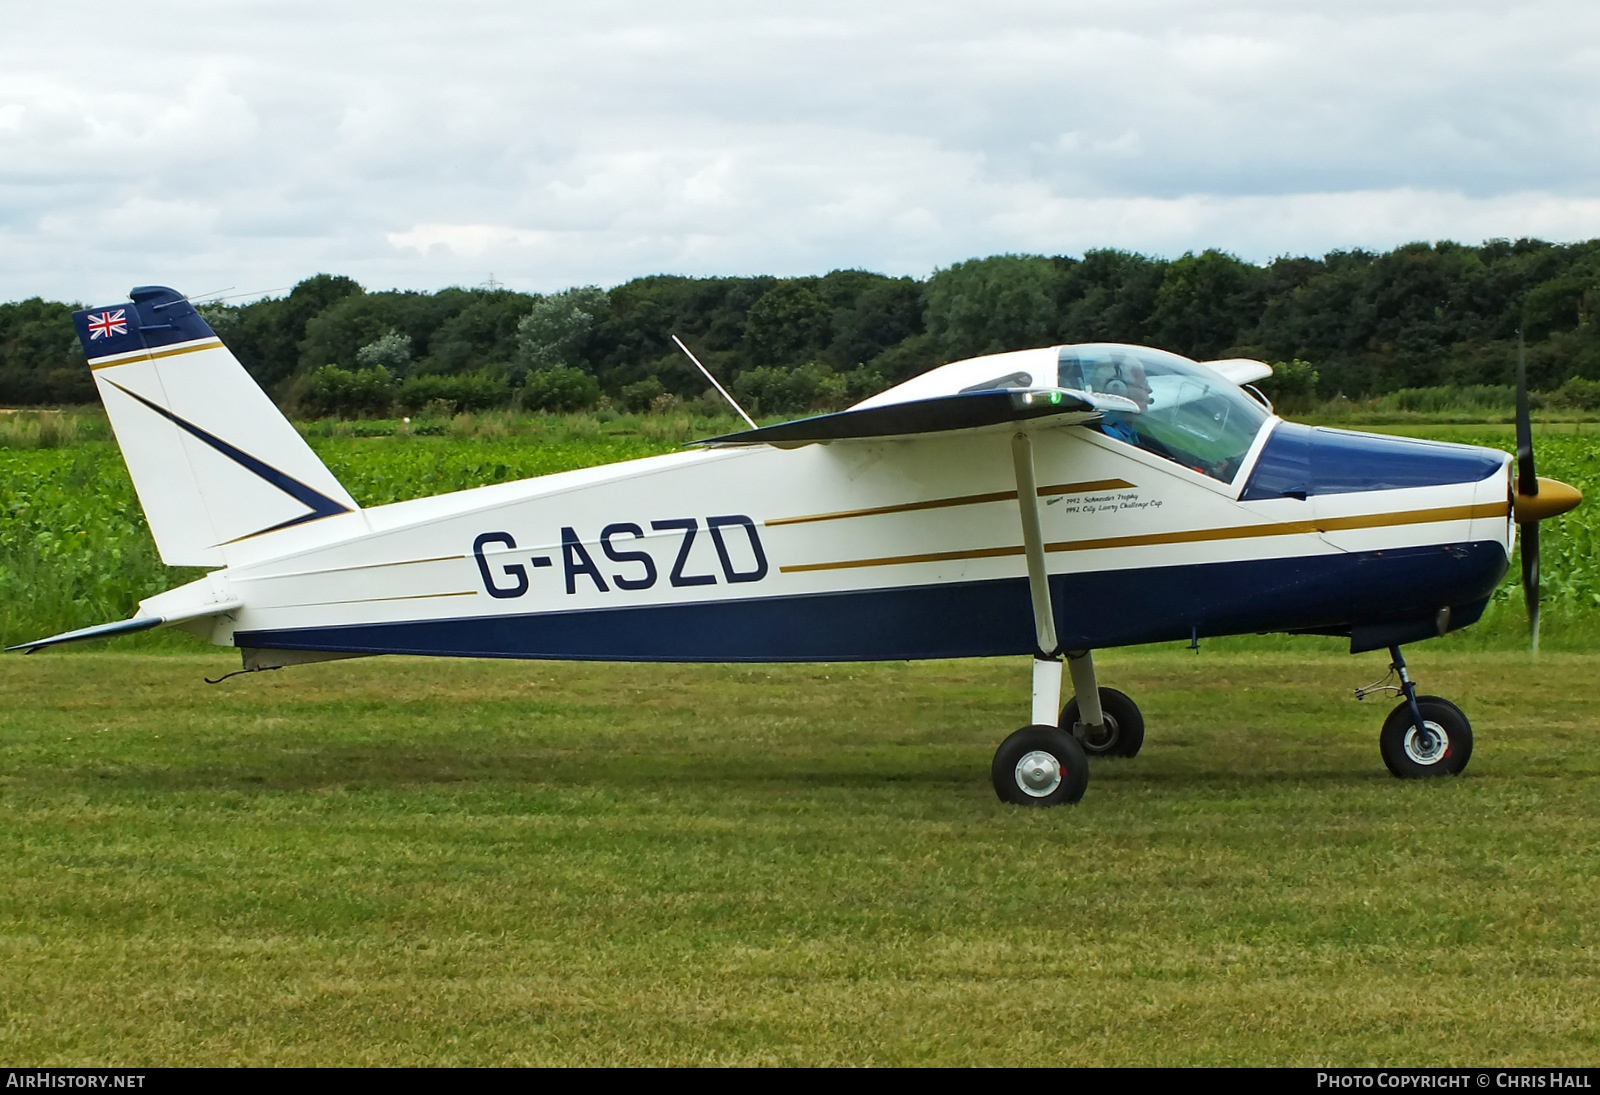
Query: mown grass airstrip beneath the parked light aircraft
[(478, 864)]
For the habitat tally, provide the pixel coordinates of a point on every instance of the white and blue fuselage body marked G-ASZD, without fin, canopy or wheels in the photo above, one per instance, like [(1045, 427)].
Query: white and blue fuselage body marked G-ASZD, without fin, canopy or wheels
[(884, 550)]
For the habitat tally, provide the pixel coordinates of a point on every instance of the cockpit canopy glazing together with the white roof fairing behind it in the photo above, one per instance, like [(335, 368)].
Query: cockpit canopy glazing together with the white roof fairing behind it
[(1182, 411)]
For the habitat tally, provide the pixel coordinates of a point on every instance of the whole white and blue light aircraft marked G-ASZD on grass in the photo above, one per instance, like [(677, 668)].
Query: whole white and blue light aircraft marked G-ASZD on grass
[(1050, 502)]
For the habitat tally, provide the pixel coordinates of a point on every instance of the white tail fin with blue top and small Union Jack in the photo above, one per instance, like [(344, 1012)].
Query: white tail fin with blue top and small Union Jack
[(212, 459)]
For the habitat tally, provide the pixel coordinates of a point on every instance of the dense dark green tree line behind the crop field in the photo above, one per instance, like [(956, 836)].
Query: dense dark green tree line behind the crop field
[(1350, 323)]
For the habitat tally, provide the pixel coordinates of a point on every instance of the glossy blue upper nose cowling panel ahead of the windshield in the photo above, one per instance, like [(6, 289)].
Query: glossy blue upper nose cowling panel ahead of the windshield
[(1300, 462)]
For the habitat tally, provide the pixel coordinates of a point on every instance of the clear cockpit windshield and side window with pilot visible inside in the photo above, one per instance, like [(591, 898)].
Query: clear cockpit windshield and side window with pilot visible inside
[(1186, 414)]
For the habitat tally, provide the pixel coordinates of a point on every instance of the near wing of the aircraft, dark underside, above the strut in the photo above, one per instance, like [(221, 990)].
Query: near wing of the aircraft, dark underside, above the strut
[(964, 411)]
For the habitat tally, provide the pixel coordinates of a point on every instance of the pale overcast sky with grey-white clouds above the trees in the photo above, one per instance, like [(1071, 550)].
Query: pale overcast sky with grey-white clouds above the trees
[(422, 145)]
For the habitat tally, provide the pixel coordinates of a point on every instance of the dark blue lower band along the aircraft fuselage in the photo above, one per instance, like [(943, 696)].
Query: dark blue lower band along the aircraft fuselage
[(959, 620)]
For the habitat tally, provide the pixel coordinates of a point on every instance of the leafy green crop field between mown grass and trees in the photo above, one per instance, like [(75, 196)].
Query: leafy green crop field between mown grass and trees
[(74, 550)]
